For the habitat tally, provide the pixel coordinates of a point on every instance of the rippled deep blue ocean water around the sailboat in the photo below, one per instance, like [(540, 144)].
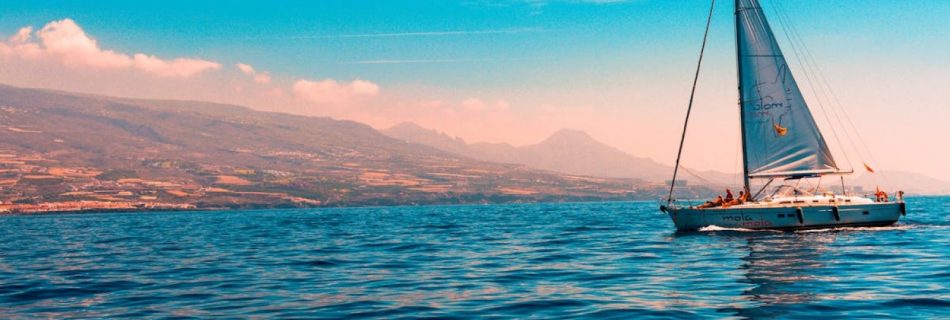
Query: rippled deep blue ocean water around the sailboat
[(580, 260)]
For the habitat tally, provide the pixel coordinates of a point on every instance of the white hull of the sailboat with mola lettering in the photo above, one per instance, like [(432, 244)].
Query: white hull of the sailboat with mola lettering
[(788, 218)]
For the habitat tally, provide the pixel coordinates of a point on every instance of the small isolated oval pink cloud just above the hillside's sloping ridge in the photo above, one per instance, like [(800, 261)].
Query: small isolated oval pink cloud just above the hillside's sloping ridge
[(330, 91)]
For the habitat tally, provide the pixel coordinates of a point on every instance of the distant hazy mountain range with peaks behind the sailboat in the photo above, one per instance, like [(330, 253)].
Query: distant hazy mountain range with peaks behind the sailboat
[(576, 152)]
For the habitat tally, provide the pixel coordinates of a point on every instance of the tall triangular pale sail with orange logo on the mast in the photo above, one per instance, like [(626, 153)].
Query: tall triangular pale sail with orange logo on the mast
[(781, 136)]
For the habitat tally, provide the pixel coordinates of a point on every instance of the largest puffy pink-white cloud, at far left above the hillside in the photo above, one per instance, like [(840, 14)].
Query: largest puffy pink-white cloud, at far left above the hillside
[(66, 43)]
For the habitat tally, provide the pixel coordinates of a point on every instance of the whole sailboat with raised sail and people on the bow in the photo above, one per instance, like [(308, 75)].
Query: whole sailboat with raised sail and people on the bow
[(780, 141)]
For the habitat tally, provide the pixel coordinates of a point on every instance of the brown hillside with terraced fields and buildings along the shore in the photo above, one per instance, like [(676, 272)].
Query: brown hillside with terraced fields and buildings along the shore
[(59, 146)]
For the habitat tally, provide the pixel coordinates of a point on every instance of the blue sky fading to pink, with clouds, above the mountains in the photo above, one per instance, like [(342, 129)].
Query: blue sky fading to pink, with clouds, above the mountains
[(503, 71)]
